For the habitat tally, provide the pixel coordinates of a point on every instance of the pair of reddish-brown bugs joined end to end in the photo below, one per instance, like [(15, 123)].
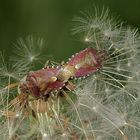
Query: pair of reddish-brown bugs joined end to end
[(49, 79)]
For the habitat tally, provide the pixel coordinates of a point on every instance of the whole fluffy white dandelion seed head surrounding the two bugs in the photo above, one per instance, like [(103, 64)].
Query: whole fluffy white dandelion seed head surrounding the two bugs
[(102, 105)]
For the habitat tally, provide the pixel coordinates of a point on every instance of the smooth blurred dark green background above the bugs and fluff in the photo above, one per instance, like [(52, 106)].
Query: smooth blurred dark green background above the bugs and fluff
[(52, 20)]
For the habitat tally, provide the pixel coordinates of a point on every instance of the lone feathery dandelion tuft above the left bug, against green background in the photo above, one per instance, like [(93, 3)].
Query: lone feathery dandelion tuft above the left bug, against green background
[(29, 51)]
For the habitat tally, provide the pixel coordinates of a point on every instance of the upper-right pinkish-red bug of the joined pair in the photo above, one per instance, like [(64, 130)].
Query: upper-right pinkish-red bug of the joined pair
[(86, 62)]
